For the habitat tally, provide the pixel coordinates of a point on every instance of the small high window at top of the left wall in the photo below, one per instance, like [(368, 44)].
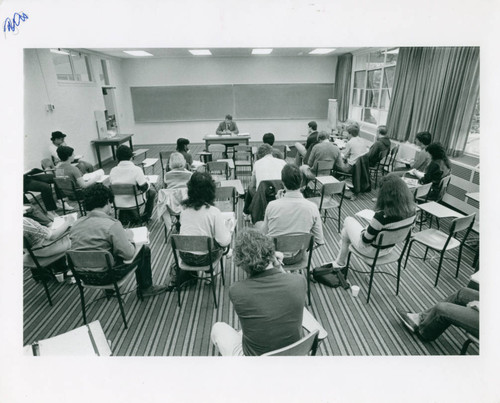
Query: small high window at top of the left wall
[(71, 65)]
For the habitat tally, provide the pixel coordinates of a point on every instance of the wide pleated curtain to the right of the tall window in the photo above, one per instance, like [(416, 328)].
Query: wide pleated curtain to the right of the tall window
[(435, 90)]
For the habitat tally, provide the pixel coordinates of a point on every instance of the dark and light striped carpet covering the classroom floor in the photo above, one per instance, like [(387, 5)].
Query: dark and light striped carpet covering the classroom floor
[(158, 327)]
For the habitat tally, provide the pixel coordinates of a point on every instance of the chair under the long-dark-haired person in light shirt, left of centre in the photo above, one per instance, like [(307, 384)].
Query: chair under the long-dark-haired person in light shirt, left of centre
[(198, 244)]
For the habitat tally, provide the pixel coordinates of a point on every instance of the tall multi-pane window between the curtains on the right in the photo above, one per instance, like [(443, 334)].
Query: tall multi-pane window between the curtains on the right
[(372, 86)]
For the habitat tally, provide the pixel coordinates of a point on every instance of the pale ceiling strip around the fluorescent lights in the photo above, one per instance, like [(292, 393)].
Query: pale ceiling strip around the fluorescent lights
[(216, 52)]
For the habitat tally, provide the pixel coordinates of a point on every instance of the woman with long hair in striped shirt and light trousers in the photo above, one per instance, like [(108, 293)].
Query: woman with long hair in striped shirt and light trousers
[(394, 208)]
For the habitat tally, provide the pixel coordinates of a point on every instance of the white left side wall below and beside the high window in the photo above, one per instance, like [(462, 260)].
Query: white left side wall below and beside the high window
[(74, 103)]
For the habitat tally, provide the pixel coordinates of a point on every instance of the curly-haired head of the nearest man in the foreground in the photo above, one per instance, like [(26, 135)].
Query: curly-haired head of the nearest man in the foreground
[(254, 251)]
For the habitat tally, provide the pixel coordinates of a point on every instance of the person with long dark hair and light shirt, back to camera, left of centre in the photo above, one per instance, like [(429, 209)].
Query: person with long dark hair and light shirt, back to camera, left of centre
[(201, 217)]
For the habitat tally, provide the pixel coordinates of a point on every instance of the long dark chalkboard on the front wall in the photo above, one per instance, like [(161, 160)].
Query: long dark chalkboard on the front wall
[(243, 101)]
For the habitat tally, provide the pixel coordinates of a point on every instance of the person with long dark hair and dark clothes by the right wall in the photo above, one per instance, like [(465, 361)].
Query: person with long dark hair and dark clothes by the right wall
[(438, 168)]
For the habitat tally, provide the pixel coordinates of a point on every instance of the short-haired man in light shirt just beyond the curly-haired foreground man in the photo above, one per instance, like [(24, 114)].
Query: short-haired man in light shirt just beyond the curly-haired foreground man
[(291, 213)]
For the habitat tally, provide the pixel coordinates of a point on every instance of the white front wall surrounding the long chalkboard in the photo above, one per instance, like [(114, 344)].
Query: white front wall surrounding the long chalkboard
[(205, 71)]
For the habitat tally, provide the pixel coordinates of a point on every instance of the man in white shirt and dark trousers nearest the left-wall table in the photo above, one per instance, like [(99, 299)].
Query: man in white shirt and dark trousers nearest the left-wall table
[(126, 172)]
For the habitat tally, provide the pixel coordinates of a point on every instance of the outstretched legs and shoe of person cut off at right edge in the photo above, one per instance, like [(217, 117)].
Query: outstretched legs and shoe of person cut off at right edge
[(460, 309)]
